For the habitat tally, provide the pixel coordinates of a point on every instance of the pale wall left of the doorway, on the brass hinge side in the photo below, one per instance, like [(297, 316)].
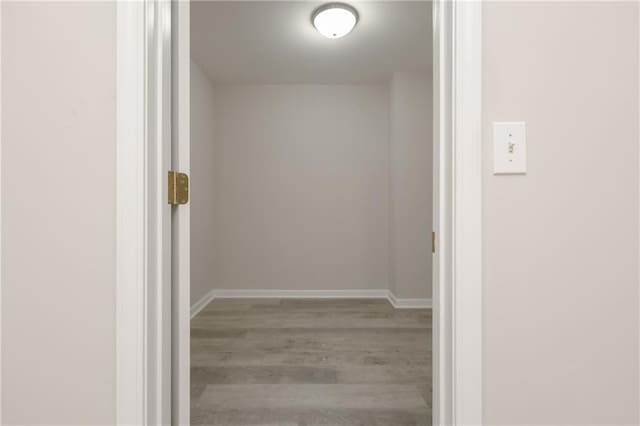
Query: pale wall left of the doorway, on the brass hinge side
[(58, 212)]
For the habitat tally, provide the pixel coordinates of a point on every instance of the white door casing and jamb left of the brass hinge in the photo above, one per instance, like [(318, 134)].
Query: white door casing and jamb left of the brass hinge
[(143, 238)]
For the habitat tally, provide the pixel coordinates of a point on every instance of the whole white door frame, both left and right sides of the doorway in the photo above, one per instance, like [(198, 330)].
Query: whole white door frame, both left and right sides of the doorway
[(141, 367)]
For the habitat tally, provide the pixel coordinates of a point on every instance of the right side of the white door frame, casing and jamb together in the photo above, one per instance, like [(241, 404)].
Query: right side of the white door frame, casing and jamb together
[(459, 286)]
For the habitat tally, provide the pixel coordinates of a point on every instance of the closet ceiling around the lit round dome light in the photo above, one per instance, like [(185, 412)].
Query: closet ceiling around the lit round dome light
[(275, 42)]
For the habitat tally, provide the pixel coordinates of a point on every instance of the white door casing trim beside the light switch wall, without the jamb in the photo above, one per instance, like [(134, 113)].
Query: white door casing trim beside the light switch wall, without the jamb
[(466, 214)]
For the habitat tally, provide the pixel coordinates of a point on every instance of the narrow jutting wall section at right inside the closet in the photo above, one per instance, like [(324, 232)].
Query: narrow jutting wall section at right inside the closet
[(411, 180)]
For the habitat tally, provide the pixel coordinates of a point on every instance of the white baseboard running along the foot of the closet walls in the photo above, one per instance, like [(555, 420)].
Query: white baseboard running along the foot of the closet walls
[(310, 294)]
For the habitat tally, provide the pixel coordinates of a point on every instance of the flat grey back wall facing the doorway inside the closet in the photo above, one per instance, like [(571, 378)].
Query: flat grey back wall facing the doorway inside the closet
[(301, 187)]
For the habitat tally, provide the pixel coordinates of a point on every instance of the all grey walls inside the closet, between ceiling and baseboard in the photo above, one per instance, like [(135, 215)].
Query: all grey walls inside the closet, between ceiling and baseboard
[(312, 187)]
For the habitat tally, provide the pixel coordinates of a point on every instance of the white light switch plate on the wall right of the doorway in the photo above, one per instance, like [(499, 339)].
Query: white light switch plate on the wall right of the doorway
[(509, 148)]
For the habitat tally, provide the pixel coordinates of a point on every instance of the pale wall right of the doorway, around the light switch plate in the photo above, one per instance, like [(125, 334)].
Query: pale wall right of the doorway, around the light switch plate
[(561, 243)]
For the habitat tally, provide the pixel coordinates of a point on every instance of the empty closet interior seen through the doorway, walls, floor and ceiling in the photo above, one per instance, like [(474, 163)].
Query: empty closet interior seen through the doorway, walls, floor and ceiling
[(311, 214)]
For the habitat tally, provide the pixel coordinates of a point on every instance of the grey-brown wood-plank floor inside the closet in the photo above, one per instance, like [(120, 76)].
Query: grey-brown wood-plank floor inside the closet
[(303, 362)]
